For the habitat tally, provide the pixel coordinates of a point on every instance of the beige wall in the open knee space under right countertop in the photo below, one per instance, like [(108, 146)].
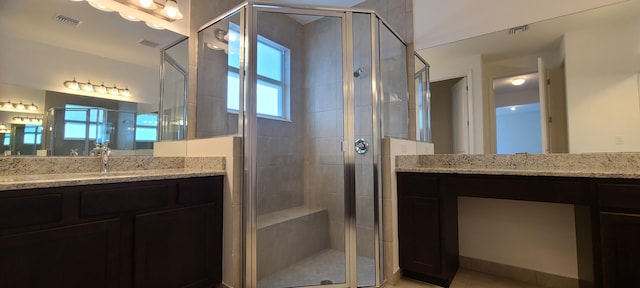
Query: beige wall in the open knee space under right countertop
[(532, 235)]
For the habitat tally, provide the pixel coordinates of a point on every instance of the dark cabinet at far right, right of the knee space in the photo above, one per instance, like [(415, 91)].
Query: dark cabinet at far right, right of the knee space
[(620, 233)]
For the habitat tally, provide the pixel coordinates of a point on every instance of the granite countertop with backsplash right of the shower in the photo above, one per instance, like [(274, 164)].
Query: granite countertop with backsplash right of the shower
[(588, 165)]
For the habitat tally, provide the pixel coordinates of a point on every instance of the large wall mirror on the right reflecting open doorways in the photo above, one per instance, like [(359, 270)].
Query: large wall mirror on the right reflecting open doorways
[(564, 85)]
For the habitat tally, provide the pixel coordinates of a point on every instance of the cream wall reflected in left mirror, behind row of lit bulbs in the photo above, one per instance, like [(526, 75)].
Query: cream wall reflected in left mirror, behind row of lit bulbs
[(66, 64)]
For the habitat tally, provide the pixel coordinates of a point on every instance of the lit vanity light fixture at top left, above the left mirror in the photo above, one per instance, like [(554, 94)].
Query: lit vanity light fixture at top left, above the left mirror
[(169, 11)]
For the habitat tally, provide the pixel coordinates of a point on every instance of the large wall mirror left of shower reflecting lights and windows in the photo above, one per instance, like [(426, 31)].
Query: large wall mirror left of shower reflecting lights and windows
[(44, 44)]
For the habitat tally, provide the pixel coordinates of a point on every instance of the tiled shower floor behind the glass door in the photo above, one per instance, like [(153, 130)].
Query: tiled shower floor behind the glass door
[(325, 265)]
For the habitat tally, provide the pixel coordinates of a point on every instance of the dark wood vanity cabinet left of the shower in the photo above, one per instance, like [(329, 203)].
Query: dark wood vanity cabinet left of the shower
[(162, 233)]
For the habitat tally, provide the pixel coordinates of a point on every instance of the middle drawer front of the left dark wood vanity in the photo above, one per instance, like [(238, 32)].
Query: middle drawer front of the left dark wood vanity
[(123, 199)]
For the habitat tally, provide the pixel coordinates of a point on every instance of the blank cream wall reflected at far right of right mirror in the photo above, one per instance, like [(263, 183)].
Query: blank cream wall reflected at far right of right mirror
[(603, 106)]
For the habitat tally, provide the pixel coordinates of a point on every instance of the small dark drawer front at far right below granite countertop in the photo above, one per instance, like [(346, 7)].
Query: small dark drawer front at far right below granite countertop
[(625, 196)]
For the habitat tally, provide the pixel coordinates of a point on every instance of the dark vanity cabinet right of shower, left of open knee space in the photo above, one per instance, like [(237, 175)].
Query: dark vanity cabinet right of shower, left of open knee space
[(427, 241)]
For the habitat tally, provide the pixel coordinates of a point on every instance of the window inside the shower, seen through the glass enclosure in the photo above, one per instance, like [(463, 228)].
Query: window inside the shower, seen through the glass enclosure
[(273, 77)]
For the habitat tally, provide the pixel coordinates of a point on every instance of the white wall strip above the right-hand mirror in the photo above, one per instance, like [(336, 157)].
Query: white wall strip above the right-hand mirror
[(438, 22)]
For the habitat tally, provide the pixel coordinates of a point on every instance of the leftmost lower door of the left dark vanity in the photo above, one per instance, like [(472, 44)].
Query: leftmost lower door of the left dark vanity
[(81, 256)]
